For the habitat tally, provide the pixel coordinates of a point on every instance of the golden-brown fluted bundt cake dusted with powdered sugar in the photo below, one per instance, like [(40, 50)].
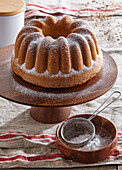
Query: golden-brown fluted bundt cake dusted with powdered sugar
[(56, 53)]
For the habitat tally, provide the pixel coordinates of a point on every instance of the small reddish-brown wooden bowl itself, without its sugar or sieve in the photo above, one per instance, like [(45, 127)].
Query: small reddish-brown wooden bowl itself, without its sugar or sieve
[(103, 127)]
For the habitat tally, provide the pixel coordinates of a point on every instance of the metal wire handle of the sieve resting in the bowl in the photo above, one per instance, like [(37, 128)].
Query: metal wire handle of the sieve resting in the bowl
[(98, 111)]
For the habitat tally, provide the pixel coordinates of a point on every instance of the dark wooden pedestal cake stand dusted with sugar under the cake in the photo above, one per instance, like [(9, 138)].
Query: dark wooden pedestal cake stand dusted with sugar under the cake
[(52, 105)]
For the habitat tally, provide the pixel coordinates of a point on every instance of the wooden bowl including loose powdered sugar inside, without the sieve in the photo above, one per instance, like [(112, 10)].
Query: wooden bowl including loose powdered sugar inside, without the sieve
[(100, 148)]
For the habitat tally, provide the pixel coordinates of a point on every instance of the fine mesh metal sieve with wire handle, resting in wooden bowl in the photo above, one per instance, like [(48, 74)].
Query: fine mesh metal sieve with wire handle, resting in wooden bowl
[(78, 131)]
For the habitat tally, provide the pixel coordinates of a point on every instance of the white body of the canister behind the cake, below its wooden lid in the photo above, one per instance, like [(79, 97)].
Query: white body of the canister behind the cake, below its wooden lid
[(10, 27)]
